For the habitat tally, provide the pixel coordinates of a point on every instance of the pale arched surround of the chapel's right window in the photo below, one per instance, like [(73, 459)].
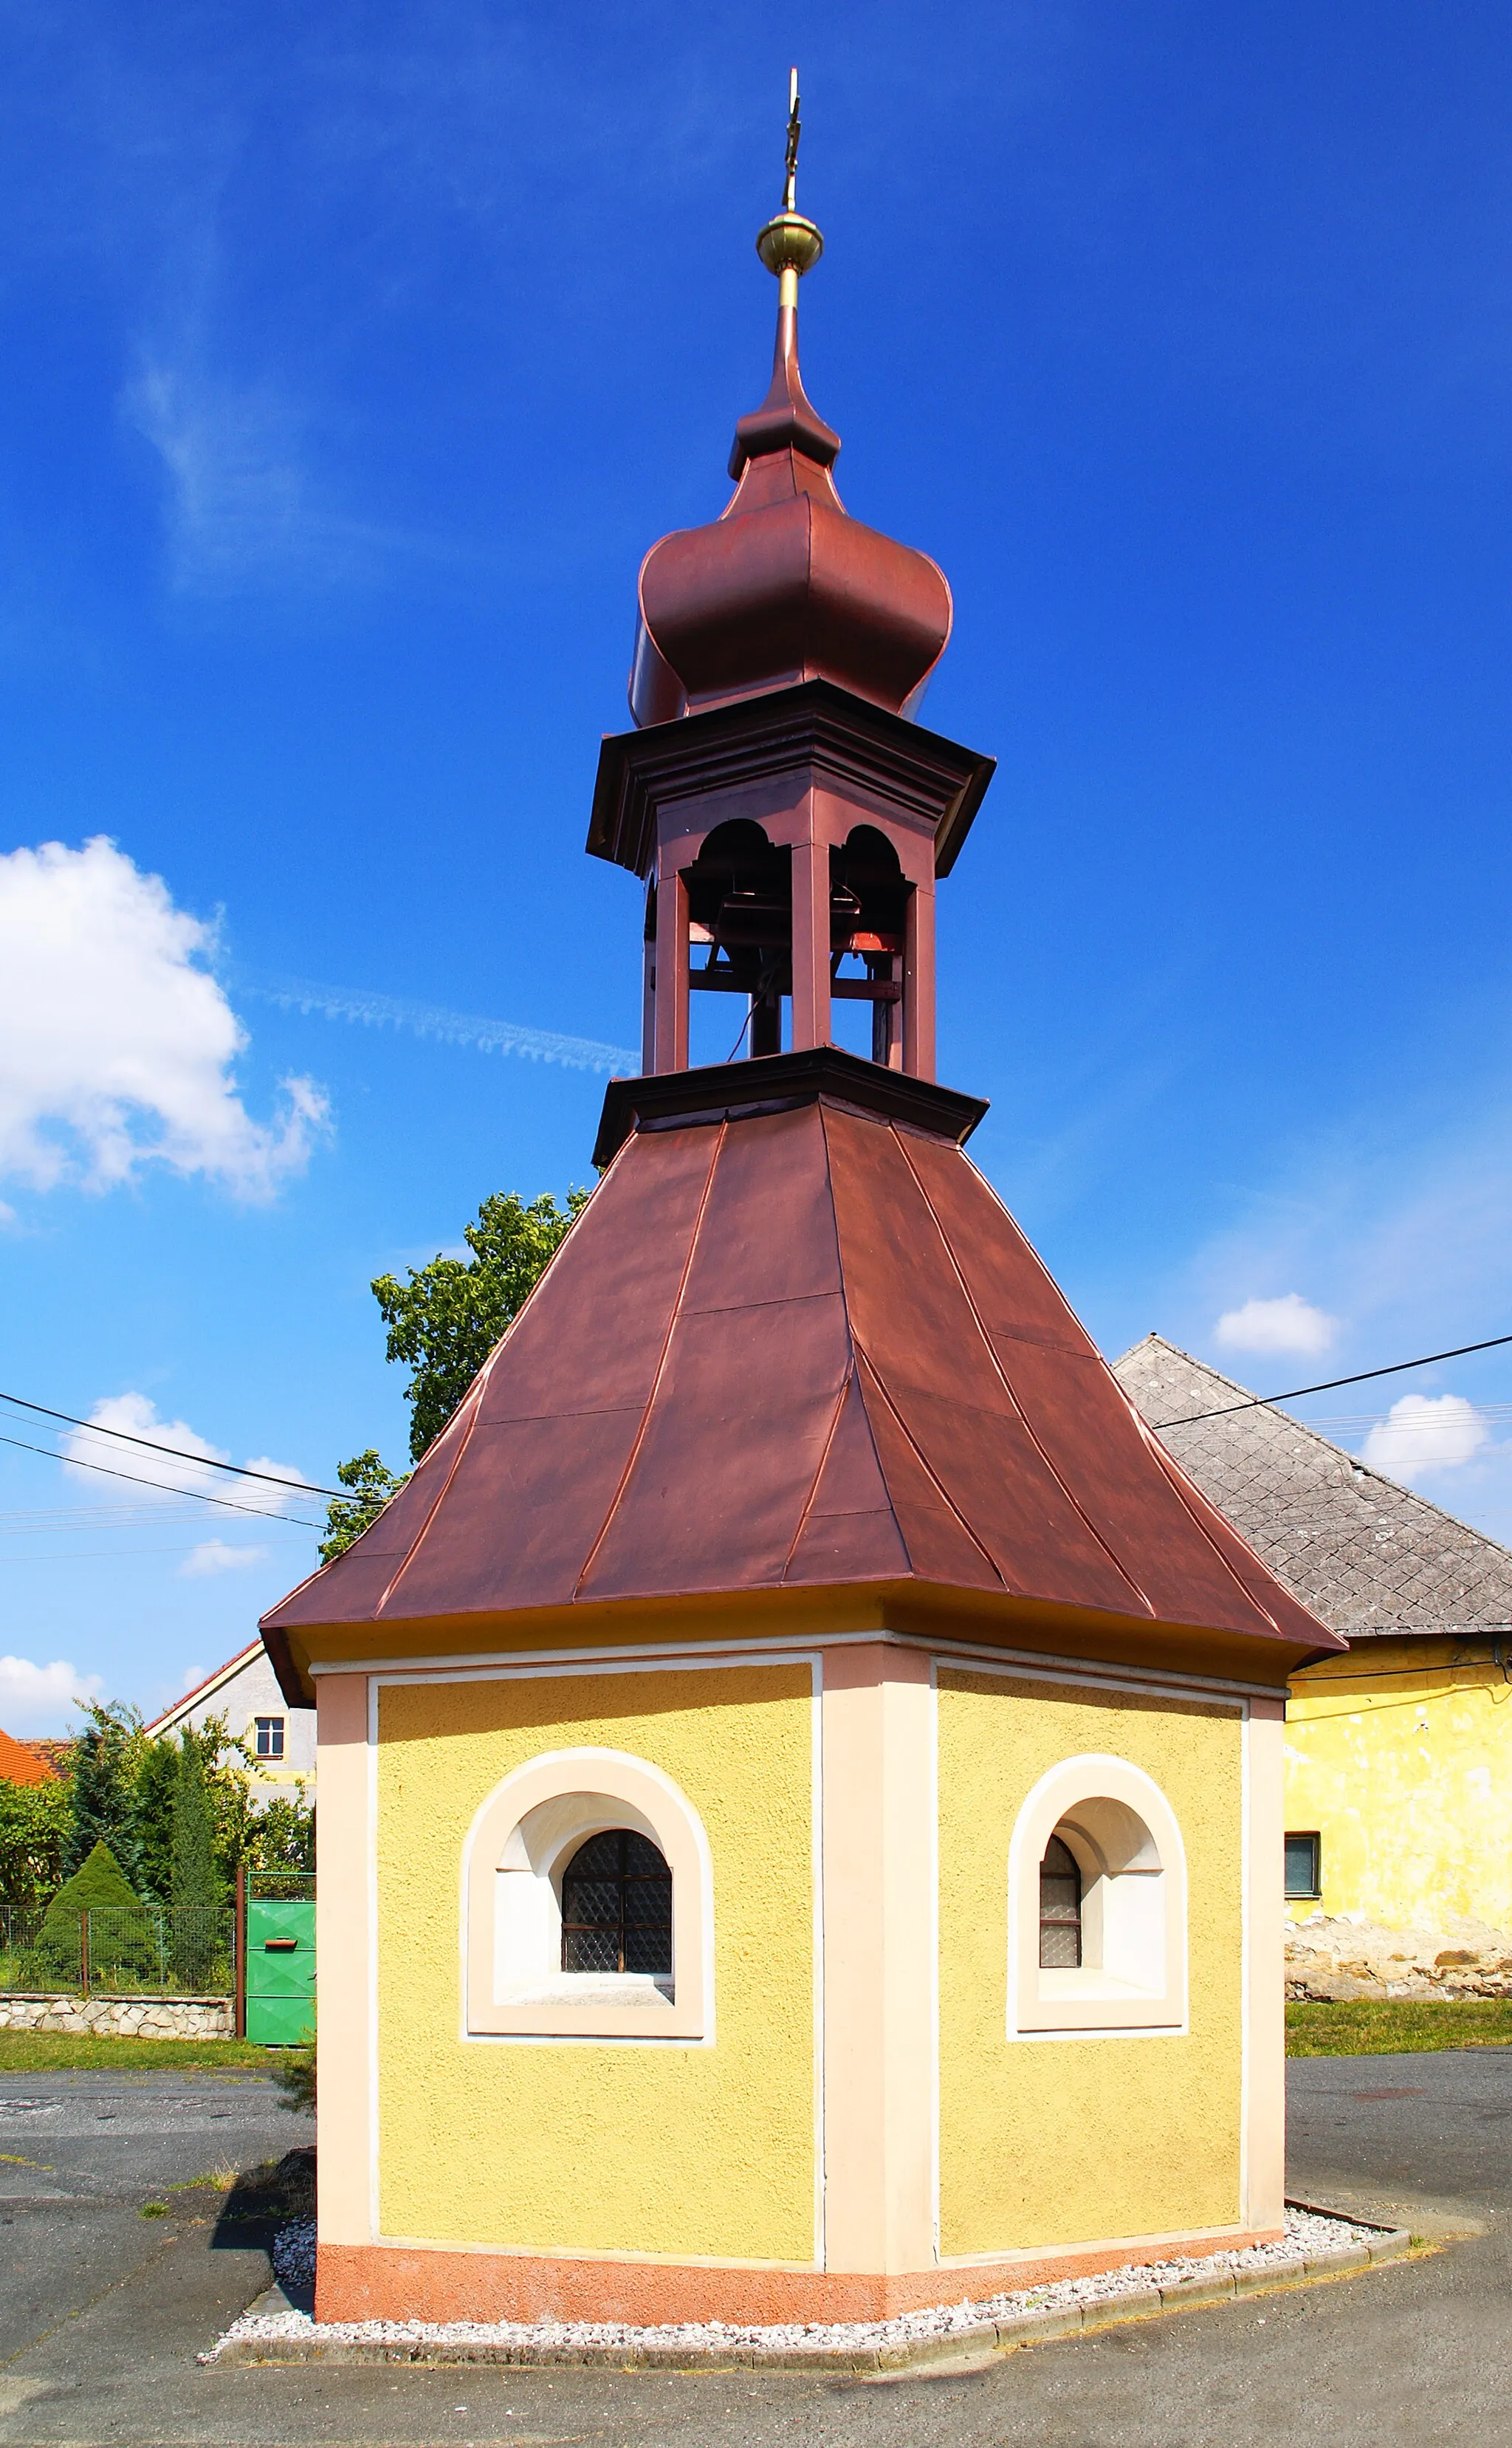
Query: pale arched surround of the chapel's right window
[(1134, 1906)]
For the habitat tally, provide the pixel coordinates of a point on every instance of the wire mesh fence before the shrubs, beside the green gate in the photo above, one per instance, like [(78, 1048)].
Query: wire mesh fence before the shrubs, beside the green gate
[(119, 1952)]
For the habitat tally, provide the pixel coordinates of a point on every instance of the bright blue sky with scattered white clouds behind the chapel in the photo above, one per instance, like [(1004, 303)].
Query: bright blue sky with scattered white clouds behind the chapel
[(354, 359)]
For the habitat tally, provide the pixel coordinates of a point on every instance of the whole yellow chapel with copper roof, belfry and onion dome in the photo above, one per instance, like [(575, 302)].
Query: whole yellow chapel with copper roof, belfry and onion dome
[(801, 1769)]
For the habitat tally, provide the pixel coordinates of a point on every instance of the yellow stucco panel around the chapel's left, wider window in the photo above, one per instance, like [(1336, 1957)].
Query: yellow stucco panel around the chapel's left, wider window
[(681, 2151)]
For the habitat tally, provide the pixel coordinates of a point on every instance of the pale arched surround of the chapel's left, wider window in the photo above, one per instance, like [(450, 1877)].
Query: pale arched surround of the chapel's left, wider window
[(513, 1906)]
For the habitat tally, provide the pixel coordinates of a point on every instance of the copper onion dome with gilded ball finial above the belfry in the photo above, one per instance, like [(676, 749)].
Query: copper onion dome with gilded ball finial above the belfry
[(784, 586)]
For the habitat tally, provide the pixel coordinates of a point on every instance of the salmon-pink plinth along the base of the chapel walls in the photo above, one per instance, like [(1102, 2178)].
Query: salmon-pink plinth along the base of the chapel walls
[(400, 2283)]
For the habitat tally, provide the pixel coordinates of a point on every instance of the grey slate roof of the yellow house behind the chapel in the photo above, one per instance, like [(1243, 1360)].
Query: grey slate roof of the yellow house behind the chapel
[(1357, 1548)]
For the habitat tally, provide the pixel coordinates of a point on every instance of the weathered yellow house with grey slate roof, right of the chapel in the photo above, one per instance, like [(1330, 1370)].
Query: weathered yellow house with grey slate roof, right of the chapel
[(1401, 1754)]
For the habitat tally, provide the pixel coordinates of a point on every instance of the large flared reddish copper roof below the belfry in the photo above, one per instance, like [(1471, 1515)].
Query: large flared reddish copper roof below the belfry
[(796, 1348)]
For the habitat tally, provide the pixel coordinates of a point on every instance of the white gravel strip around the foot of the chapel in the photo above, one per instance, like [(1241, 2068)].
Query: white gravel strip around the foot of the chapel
[(1317, 2244)]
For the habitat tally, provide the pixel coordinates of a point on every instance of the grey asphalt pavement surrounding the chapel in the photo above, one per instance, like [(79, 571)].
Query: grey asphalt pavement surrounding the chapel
[(106, 2310)]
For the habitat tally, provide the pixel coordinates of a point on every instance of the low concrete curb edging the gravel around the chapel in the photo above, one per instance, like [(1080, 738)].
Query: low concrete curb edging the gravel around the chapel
[(977, 2344)]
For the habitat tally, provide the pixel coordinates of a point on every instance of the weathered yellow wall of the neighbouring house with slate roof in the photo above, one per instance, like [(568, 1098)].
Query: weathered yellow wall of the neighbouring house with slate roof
[(1403, 1761)]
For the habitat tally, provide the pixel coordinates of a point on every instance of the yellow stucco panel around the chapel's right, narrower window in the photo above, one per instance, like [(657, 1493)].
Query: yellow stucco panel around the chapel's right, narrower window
[(1046, 2141)]
